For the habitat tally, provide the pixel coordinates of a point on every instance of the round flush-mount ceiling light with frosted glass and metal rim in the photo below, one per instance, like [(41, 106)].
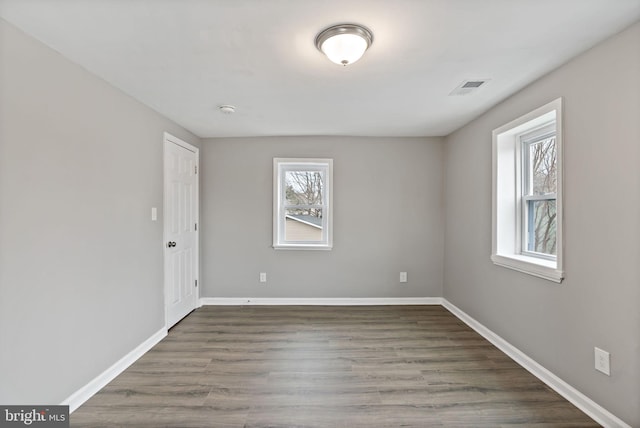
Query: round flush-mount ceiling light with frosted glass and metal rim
[(344, 44)]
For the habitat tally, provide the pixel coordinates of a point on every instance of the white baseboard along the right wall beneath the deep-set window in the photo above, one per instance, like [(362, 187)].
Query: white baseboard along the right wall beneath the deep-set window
[(578, 399)]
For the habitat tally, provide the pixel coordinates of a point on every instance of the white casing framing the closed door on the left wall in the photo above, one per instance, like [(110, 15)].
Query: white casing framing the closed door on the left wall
[(171, 139)]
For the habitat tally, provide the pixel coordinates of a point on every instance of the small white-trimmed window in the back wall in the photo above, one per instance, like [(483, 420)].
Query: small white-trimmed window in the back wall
[(302, 203)]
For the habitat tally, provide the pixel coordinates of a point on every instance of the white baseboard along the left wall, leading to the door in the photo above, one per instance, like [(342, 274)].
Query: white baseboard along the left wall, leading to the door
[(76, 399)]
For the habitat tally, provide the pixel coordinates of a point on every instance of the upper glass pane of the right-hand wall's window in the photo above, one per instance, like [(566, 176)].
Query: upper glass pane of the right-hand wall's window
[(542, 156)]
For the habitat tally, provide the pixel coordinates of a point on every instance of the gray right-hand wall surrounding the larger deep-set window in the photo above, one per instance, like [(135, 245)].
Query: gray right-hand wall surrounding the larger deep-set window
[(597, 304)]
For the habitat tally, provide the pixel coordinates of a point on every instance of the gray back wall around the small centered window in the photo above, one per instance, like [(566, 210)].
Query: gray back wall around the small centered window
[(387, 218)]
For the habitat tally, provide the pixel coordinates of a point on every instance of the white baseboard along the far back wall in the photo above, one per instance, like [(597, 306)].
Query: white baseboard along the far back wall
[(321, 301)]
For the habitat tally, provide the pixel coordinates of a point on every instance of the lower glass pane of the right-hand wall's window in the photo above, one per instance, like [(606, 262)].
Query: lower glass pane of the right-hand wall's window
[(542, 226)]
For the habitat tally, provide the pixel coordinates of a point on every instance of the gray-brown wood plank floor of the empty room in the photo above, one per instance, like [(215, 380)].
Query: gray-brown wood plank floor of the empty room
[(308, 366)]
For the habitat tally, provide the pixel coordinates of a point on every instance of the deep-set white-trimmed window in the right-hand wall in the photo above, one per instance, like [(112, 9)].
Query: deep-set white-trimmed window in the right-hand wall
[(527, 193)]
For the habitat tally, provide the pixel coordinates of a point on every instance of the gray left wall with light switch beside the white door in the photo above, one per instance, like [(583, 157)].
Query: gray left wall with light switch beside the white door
[(80, 258)]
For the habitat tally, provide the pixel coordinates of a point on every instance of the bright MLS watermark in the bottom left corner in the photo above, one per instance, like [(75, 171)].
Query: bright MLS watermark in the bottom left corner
[(34, 416)]
